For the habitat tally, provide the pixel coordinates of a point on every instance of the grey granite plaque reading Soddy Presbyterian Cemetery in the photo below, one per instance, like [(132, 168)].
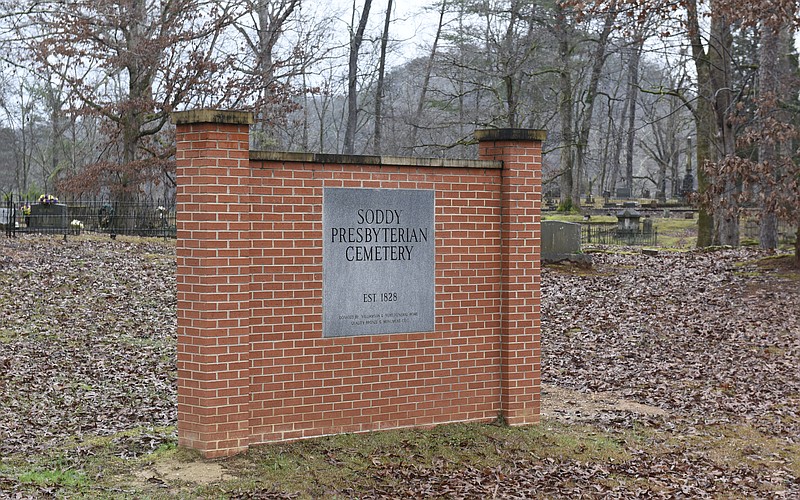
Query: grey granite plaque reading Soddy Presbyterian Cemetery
[(378, 261)]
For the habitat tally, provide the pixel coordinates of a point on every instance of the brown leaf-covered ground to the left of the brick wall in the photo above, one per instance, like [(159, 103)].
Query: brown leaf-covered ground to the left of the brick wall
[(87, 339)]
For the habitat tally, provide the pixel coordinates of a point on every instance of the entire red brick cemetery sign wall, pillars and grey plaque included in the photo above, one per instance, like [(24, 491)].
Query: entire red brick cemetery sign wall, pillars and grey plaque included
[(321, 294)]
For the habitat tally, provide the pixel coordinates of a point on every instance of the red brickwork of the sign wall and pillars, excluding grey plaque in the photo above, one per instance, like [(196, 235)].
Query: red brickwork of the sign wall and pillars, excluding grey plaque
[(252, 362)]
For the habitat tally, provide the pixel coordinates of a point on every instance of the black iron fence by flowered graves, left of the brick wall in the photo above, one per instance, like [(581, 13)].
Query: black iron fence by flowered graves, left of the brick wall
[(75, 217)]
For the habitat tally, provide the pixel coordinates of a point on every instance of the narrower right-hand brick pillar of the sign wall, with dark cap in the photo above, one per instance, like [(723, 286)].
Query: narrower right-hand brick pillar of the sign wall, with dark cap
[(521, 153)]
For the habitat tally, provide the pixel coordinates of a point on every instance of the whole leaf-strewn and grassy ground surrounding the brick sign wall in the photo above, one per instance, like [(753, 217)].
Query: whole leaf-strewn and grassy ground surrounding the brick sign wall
[(673, 375)]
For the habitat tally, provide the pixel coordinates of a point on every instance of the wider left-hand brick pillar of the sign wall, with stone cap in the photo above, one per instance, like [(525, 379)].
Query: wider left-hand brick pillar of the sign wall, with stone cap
[(213, 257)]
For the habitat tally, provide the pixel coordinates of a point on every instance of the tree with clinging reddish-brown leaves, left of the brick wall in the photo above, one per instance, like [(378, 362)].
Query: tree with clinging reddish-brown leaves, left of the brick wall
[(129, 63)]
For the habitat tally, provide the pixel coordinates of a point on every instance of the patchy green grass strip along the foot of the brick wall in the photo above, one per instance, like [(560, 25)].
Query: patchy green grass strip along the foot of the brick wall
[(353, 464)]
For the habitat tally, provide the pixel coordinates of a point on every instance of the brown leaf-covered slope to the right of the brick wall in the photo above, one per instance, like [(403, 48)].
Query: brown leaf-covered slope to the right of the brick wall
[(711, 336)]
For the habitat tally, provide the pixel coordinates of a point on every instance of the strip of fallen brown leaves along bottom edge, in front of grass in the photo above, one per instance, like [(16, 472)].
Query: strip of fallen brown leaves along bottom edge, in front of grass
[(678, 475)]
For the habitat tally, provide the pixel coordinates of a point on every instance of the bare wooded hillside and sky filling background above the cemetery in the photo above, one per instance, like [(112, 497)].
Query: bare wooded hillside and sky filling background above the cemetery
[(632, 92)]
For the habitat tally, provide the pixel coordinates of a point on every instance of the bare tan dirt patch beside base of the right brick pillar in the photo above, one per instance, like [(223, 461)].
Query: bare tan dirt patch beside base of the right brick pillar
[(573, 406)]
